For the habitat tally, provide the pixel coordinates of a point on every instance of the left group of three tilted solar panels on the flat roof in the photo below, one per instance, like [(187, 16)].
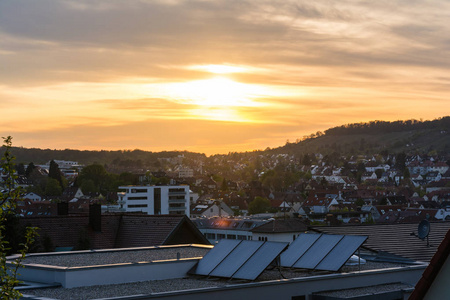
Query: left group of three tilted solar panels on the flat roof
[(239, 259)]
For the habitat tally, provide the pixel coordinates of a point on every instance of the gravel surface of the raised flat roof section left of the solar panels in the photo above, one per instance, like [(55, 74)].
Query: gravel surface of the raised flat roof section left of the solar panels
[(115, 257)]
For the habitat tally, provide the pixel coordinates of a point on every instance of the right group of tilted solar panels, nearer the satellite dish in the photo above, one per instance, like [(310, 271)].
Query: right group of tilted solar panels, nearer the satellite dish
[(320, 251)]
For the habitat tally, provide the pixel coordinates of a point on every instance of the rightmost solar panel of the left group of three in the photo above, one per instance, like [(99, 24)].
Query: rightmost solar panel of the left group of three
[(253, 267)]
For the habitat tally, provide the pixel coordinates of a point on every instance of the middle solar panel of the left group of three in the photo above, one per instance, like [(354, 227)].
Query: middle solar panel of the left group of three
[(236, 258)]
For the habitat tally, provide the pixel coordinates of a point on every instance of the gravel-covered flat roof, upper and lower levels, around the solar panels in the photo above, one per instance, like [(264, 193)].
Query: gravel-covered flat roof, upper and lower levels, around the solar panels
[(115, 256)]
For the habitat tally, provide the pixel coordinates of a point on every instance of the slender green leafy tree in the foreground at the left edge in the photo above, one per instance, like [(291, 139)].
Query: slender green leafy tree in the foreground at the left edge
[(8, 198)]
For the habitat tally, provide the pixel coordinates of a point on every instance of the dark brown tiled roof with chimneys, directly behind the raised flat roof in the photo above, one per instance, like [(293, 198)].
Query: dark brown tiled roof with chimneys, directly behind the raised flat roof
[(117, 230)]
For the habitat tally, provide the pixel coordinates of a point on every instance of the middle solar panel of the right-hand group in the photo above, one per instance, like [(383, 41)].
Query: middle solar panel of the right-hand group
[(318, 251)]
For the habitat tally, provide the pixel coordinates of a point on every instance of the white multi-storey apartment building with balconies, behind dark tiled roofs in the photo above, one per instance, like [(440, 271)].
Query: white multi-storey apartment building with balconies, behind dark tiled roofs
[(155, 200)]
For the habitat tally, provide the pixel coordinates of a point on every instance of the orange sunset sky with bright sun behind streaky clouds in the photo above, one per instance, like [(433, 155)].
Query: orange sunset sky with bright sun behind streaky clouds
[(215, 76)]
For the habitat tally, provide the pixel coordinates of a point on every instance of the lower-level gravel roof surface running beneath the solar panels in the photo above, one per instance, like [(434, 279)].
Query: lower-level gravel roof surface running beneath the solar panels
[(157, 286)]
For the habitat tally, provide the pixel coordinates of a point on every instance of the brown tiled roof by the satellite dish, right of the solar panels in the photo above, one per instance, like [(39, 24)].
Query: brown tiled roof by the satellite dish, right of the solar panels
[(395, 238)]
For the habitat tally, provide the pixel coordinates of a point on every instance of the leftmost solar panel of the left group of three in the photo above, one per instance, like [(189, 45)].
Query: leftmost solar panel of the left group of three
[(216, 255)]
